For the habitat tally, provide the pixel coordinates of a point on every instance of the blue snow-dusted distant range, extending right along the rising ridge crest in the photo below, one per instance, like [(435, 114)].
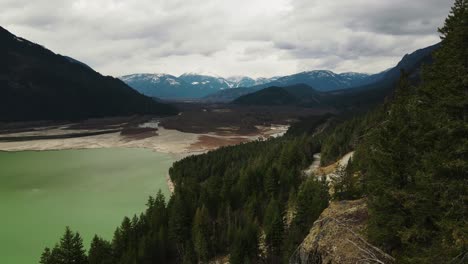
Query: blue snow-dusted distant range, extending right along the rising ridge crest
[(219, 89)]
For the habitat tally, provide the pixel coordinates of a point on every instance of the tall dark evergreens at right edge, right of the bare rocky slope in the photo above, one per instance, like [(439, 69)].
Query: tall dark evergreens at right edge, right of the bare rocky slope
[(415, 162)]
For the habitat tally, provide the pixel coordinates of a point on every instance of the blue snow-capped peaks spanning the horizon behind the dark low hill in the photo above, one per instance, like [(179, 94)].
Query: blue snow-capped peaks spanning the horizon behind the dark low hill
[(193, 85)]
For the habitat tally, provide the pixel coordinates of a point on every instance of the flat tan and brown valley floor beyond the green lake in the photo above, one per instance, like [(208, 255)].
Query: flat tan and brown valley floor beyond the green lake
[(162, 140)]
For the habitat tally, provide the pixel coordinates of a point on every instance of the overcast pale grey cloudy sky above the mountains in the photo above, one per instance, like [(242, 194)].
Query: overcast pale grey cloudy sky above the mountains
[(236, 37)]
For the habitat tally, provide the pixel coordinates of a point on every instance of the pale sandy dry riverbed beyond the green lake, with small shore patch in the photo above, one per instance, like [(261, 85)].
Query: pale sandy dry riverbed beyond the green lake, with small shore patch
[(143, 134)]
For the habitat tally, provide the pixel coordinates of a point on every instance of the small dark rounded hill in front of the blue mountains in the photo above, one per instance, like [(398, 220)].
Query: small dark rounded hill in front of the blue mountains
[(300, 94)]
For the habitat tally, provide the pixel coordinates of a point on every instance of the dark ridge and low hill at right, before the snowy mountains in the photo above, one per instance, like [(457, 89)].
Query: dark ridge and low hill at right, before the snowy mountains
[(307, 96)]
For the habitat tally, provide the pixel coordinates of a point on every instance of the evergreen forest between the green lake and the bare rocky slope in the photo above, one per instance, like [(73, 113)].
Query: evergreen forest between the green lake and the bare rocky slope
[(224, 201)]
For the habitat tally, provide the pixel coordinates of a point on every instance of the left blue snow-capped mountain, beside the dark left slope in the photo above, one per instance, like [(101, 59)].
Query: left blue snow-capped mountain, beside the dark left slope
[(187, 85)]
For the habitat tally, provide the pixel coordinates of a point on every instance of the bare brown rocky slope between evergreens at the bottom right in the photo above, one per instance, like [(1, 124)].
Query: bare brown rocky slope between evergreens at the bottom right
[(338, 237)]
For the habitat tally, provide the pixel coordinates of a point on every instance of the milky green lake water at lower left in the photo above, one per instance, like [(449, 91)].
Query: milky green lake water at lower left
[(88, 190)]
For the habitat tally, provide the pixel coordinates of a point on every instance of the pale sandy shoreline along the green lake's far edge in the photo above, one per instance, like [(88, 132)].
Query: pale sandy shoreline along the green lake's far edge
[(169, 141)]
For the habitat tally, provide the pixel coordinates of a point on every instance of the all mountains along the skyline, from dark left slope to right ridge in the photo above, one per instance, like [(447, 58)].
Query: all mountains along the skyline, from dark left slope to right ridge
[(37, 84)]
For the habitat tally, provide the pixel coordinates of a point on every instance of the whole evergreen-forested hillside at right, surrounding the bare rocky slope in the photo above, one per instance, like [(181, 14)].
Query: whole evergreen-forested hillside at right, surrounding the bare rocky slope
[(252, 203)]
